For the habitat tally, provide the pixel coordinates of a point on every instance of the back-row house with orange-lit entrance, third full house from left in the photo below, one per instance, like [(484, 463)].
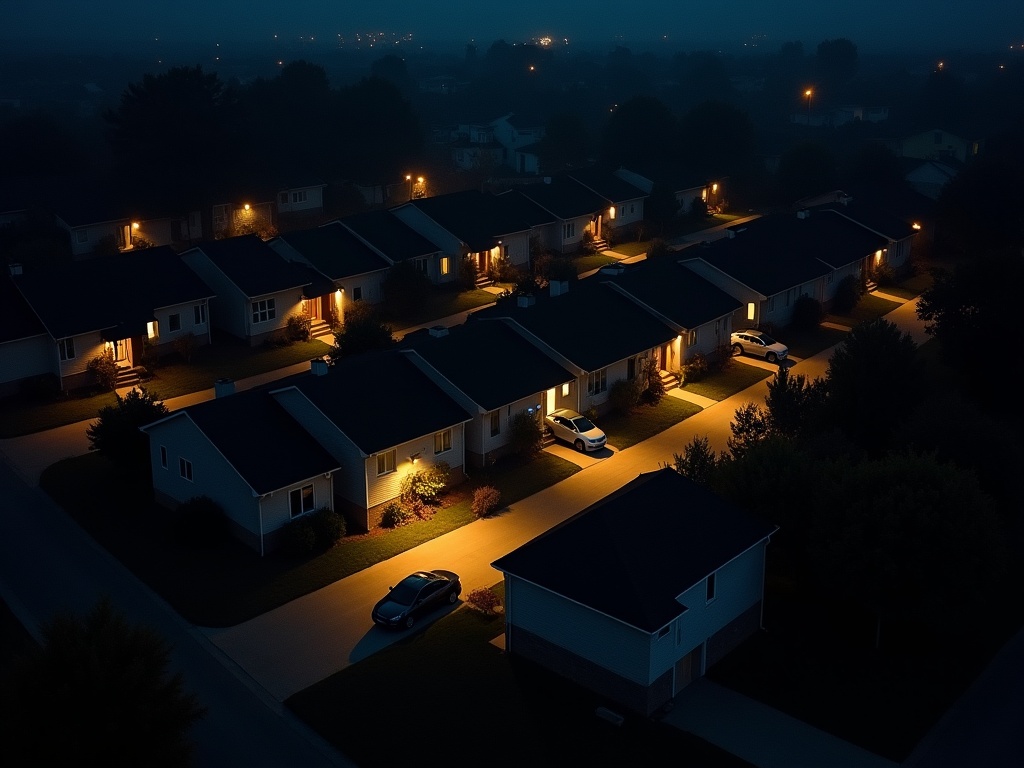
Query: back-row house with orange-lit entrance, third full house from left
[(352, 271)]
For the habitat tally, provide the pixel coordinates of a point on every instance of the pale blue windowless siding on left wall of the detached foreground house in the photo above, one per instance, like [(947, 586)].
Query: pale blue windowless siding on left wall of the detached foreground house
[(609, 644)]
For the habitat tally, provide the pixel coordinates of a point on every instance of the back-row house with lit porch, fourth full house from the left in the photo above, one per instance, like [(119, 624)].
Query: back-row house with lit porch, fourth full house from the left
[(473, 224)]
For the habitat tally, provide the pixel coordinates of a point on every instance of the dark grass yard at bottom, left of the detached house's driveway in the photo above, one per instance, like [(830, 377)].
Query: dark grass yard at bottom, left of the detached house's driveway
[(446, 696)]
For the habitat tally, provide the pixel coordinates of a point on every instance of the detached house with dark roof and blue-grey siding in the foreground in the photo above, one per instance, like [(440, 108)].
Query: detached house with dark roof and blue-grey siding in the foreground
[(639, 594)]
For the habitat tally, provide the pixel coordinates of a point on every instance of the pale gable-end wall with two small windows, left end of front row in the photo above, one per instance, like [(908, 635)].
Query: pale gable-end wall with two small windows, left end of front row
[(212, 476)]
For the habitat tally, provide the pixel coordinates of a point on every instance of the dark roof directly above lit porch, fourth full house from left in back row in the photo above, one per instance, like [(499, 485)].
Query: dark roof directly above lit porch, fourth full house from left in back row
[(479, 220)]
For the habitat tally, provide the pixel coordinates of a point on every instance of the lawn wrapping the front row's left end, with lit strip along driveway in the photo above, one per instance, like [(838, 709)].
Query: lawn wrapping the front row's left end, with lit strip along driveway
[(227, 585)]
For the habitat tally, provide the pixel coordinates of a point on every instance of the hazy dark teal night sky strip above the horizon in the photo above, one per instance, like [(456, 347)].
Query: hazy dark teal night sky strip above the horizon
[(873, 25)]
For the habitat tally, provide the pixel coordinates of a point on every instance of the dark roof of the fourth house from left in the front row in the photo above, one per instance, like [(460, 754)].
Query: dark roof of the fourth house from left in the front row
[(592, 325)]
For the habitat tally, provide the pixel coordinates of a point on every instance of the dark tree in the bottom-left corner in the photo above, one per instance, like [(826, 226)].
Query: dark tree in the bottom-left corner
[(99, 693)]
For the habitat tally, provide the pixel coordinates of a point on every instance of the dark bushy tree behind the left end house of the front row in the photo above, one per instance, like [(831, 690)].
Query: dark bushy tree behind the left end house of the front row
[(116, 435)]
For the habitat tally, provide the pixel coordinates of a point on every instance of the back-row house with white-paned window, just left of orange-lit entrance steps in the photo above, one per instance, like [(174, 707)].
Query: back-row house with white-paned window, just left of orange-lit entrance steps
[(257, 291)]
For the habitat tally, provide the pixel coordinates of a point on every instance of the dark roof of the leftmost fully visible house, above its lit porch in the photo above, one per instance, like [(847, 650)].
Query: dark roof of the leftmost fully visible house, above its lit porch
[(110, 292)]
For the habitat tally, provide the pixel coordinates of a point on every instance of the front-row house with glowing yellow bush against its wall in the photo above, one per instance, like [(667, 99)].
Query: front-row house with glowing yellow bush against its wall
[(381, 418)]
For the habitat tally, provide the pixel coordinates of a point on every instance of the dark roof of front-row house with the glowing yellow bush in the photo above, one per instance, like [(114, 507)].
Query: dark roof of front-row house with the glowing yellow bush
[(410, 405)]
